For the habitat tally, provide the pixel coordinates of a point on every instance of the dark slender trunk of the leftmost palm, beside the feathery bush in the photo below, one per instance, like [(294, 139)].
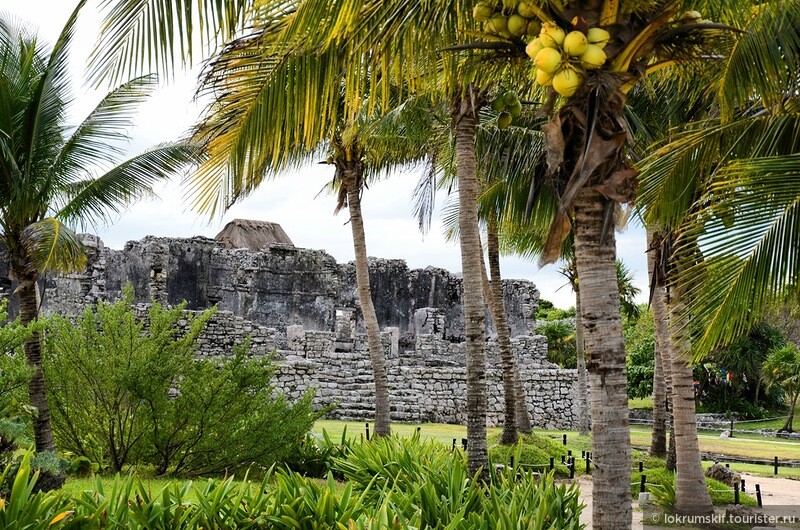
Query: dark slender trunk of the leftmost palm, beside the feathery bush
[(29, 312)]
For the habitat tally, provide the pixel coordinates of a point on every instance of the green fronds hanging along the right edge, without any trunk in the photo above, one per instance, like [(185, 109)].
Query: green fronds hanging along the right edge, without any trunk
[(746, 212)]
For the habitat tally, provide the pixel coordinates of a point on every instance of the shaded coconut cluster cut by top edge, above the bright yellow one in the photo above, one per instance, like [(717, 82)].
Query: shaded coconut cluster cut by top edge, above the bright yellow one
[(507, 18)]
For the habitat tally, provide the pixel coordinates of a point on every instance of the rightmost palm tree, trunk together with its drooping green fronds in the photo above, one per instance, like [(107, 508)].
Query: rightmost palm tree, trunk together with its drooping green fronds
[(729, 214)]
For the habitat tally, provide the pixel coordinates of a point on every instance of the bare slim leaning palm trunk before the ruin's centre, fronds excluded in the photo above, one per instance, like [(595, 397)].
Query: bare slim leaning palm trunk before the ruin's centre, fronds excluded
[(352, 178)]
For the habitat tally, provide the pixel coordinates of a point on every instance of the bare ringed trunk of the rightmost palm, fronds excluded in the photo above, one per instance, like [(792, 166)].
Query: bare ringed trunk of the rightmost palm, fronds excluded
[(691, 493)]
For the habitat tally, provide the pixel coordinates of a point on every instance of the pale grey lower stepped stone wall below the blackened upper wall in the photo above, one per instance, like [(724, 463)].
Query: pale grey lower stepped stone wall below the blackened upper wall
[(427, 383)]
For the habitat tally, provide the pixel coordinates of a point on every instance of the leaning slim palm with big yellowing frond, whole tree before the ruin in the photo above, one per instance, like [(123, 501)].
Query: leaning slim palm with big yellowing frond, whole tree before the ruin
[(255, 128)]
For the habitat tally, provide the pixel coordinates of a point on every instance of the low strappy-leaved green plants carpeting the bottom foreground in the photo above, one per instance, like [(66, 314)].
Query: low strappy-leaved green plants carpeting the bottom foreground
[(419, 494)]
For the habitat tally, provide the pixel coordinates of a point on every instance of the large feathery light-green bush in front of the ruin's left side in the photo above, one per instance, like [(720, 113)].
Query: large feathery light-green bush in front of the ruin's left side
[(125, 390)]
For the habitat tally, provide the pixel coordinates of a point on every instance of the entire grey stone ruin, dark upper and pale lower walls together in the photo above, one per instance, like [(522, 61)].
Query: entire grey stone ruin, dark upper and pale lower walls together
[(302, 304)]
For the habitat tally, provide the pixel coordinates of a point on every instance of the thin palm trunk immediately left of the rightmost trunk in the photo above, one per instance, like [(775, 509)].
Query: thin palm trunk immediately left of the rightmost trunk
[(658, 442)]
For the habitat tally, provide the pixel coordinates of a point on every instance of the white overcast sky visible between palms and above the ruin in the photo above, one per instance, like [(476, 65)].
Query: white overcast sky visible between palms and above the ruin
[(290, 200)]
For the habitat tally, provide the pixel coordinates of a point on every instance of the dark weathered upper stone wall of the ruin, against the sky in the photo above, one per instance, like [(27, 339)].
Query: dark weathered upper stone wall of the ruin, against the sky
[(278, 287)]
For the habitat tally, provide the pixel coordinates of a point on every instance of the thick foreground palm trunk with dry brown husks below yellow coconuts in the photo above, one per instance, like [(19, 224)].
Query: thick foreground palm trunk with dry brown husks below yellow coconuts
[(587, 156)]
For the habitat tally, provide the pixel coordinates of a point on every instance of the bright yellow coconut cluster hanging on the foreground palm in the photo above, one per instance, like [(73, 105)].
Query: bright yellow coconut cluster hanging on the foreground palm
[(562, 58)]
